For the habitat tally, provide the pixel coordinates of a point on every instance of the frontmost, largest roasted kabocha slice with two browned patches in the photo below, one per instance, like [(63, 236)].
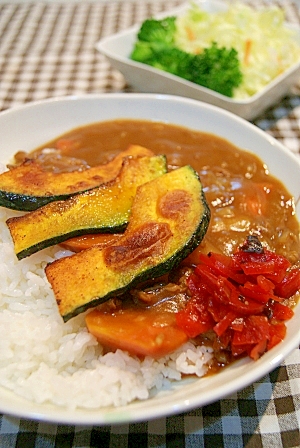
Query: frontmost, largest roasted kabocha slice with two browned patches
[(168, 220)]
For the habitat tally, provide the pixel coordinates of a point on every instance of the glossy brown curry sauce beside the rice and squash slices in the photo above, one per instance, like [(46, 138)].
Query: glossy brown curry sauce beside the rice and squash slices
[(244, 198)]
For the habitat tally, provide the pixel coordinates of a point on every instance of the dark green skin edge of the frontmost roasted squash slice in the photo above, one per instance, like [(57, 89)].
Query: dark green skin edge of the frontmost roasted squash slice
[(155, 271)]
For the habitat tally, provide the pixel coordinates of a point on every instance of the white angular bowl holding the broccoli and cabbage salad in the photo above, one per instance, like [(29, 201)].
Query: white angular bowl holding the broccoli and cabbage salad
[(144, 78)]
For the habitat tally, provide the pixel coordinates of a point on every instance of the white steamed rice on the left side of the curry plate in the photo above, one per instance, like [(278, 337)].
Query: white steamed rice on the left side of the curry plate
[(48, 361)]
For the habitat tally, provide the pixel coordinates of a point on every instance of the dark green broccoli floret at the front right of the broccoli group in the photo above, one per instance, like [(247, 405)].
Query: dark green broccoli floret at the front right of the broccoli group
[(217, 69)]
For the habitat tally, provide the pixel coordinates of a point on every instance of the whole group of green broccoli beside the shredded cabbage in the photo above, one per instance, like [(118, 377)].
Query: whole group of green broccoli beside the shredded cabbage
[(216, 68)]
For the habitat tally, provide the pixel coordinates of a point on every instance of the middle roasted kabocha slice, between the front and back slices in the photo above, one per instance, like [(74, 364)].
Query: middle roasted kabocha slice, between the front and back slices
[(104, 209)]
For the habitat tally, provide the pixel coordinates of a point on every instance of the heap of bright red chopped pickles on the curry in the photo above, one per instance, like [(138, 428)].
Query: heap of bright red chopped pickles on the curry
[(239, 298)]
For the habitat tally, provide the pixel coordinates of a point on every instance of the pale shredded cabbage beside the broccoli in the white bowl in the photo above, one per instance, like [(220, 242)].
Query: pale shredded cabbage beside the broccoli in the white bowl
[(265, 45)]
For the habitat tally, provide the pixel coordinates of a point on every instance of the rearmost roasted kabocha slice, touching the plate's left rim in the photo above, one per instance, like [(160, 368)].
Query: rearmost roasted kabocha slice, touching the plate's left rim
[(28, 186)]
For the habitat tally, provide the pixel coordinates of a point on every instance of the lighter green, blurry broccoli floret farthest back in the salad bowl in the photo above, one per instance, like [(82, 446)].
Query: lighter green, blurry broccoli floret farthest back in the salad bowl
[(153, 30)]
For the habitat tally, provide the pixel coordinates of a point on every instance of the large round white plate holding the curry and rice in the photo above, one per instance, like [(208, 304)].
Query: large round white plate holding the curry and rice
[(31, 125)]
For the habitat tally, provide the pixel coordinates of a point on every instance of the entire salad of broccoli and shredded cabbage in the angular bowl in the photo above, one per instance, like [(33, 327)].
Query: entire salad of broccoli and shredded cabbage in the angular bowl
[(238, 51)]
